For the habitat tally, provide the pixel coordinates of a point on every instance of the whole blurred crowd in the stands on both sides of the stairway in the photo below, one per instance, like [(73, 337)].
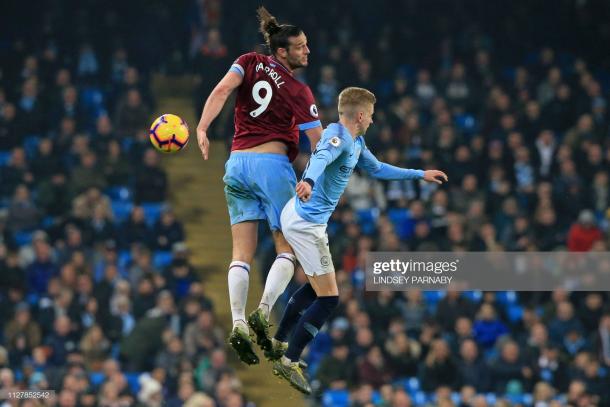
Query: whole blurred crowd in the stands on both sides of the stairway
[(510, 101)]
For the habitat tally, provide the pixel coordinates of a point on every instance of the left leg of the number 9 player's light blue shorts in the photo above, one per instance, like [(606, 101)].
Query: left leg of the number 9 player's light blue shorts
[(242, 203)]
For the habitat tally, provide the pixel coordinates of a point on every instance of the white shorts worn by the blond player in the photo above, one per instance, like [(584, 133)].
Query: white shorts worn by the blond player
[(308, 240)]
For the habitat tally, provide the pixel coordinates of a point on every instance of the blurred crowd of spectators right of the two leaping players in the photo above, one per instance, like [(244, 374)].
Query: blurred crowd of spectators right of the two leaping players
[(518, 118)]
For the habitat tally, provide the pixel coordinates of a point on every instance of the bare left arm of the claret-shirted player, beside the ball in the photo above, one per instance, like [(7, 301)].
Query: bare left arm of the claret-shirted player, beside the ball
[(213, 106)]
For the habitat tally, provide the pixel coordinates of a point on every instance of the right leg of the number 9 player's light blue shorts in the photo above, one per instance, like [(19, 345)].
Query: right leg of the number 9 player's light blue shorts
[(277, 187)]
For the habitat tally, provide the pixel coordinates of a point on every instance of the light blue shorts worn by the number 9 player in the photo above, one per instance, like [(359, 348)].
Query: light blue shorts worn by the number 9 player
[(257, 186)]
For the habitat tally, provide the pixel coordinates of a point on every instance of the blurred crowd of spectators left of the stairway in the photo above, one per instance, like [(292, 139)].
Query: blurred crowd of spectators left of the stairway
[(99, 300)]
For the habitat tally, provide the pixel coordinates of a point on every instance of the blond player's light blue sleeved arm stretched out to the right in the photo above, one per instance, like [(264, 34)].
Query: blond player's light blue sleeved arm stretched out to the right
[(380, 170)]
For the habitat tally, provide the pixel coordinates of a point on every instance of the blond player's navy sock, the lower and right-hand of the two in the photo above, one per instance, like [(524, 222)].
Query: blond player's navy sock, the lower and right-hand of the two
[(309, 325)]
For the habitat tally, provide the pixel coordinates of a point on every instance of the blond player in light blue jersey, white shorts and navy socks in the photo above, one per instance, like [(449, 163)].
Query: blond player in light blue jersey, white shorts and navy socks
[(304, 221)]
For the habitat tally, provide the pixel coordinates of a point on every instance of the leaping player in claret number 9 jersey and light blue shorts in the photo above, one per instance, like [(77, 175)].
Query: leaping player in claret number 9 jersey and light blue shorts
[(271, 108)]
